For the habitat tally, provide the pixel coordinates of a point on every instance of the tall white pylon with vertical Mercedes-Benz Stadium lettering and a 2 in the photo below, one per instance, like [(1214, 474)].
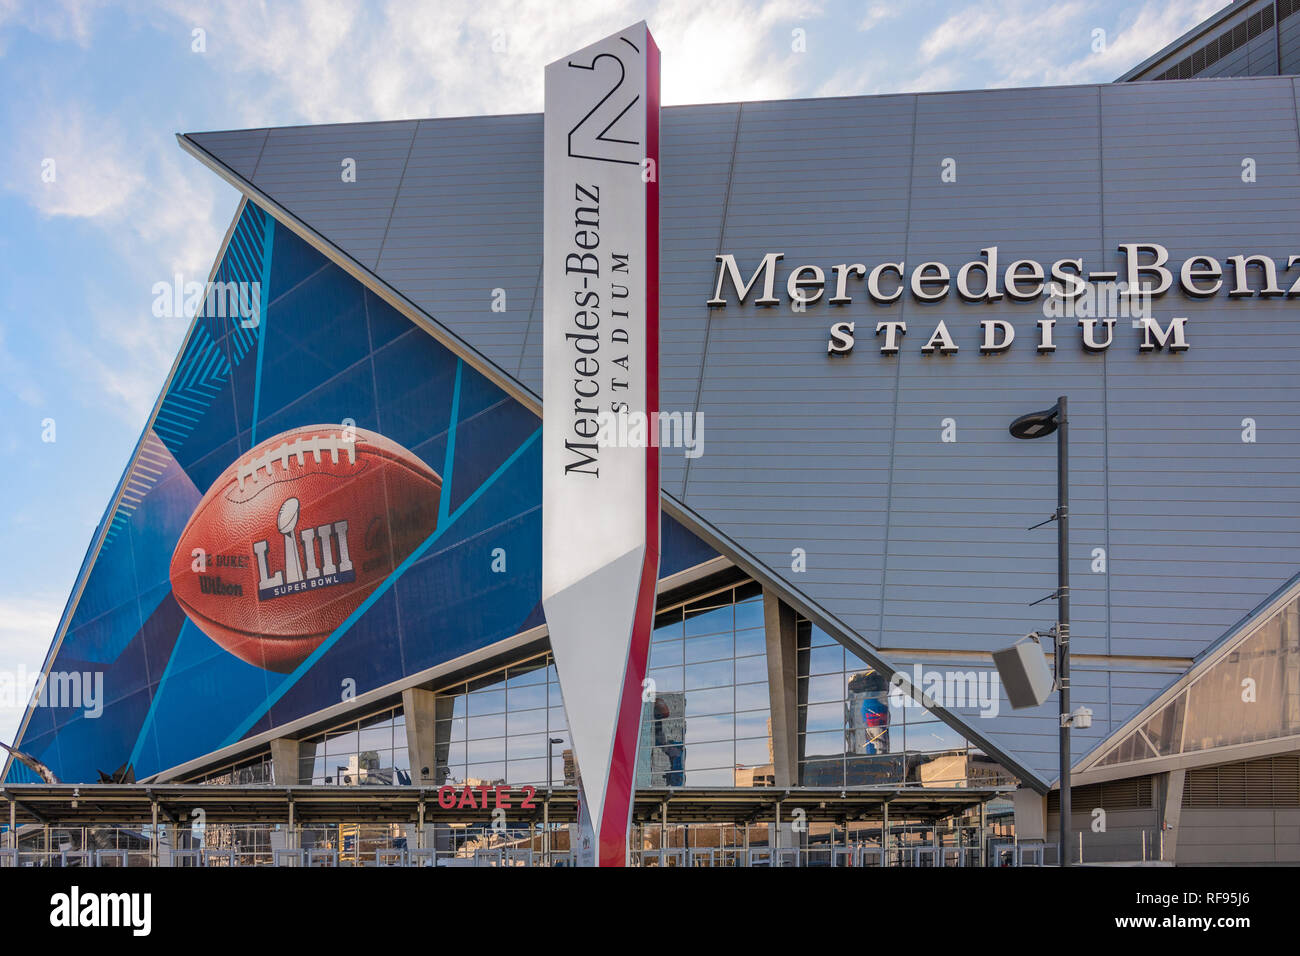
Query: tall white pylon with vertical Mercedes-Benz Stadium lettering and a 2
[(600, 358)]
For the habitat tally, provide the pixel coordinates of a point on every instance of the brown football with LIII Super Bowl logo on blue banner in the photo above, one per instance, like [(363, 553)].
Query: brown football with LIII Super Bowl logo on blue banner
[(296, 535)]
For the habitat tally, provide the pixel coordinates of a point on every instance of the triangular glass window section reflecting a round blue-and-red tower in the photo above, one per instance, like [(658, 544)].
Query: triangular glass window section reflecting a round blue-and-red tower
[(853, 736)]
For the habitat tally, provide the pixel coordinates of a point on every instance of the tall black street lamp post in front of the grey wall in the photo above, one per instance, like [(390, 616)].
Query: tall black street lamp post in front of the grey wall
[(1039, 426)]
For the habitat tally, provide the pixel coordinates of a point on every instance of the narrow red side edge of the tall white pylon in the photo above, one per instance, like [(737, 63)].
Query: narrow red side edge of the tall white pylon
[(623, 767)]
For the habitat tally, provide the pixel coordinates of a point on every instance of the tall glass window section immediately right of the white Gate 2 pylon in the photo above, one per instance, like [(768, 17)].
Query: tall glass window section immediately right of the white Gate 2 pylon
[(709, 724)]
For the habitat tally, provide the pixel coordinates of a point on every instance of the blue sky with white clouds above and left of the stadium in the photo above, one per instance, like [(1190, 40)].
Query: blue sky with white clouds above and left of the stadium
[(98, 204)]
